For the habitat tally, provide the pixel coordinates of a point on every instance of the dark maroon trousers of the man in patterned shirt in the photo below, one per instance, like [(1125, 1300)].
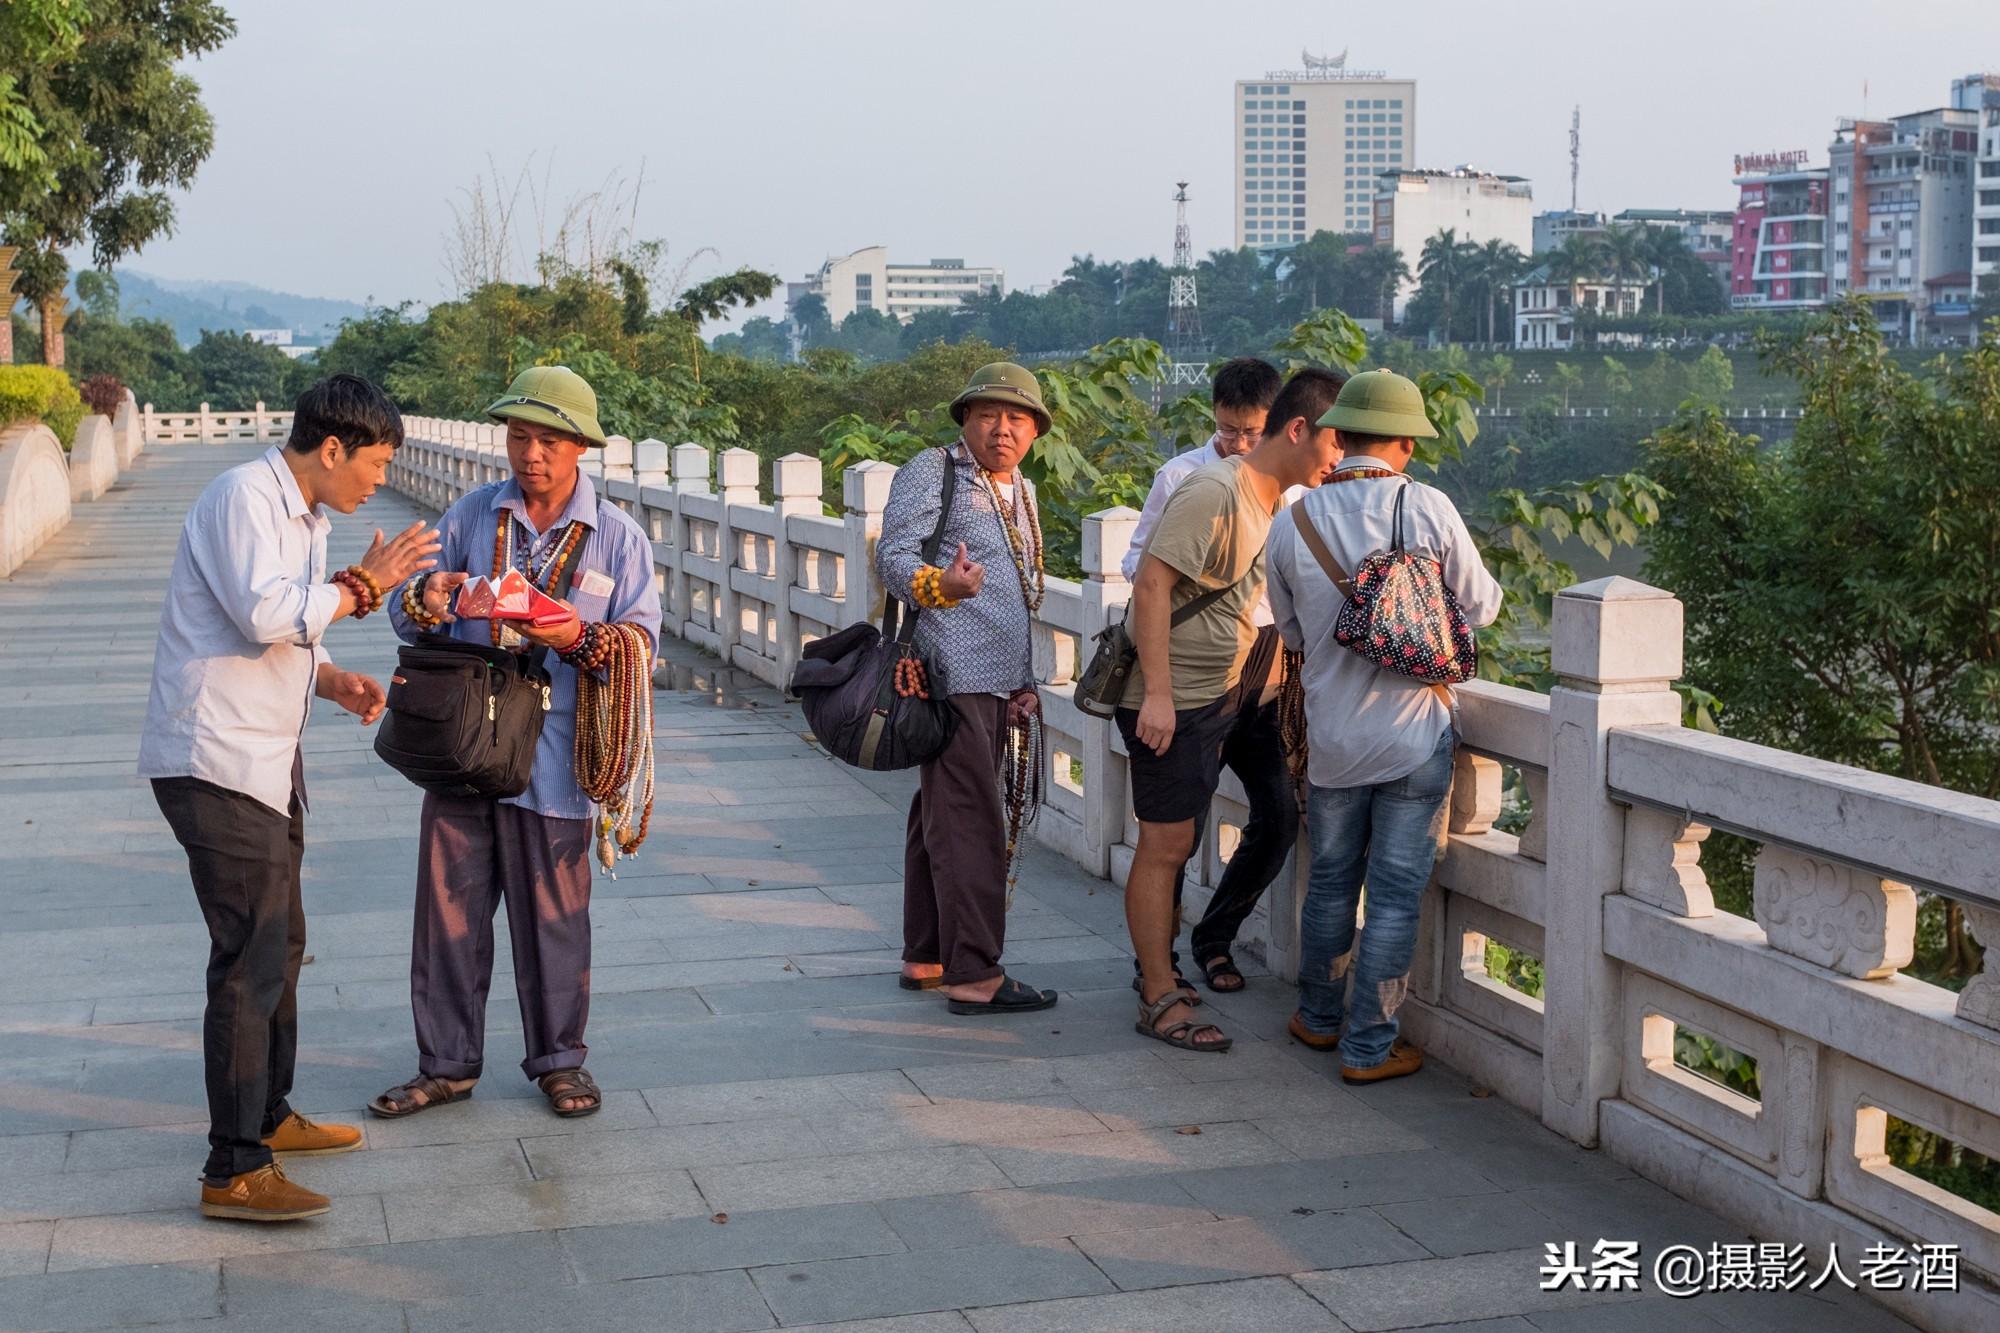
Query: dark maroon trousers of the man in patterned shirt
[(955, 852)]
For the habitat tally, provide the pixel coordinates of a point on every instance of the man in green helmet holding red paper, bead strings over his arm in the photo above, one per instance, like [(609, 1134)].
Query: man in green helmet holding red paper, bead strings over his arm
[(531, 852)]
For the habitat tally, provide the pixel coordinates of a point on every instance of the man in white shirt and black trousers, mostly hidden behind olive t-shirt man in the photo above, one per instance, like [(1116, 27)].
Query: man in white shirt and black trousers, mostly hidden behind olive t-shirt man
[(1243, 393)]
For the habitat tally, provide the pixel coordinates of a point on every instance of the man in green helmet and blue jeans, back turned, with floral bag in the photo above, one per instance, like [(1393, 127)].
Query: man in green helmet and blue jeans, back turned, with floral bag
[(1379, 720)]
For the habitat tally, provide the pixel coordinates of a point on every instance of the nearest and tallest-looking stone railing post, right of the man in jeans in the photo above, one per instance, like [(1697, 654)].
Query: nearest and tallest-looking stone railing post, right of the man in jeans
[(1615, 647)]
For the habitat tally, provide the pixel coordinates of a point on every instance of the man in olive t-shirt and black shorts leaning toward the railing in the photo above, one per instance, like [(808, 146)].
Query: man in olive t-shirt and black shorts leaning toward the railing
[(1195, 678)]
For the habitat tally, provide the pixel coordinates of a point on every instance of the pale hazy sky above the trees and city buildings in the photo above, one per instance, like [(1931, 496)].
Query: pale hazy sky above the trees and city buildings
[(1017, 135)]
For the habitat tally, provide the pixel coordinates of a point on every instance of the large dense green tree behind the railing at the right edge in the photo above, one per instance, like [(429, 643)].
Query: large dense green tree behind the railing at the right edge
[(1843, 593)]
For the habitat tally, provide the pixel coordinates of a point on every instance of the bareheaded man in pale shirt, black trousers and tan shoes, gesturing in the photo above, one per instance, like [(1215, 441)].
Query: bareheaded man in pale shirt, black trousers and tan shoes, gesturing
[(233, 680)]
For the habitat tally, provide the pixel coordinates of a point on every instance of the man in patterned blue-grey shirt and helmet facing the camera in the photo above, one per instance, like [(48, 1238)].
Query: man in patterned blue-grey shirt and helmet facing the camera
[(975, 631)]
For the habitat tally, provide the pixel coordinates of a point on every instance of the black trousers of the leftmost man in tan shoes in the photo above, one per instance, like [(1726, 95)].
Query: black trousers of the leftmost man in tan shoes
[(243, 860)]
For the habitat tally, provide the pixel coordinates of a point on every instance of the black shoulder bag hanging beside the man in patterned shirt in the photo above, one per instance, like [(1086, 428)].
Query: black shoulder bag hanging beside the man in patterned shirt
[(849, 684)]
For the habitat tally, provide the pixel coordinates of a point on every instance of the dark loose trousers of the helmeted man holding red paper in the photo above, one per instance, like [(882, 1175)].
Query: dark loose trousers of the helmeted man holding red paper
[(473, 856)]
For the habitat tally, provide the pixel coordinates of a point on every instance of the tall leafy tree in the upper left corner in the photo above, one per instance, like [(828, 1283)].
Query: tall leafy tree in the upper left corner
[(119, 129)]
